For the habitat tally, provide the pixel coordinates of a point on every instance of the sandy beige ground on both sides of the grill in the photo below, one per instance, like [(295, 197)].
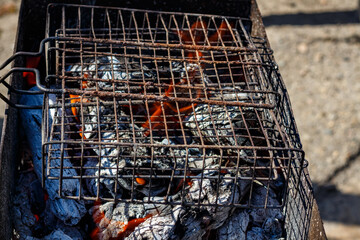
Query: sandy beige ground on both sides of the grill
[(317, 47)]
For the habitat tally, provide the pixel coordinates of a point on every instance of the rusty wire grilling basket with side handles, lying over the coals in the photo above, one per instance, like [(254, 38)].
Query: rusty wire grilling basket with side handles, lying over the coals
[(156, 107)]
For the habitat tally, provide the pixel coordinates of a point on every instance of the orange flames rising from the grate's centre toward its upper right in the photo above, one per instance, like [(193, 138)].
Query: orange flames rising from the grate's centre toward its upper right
[(195, 35)]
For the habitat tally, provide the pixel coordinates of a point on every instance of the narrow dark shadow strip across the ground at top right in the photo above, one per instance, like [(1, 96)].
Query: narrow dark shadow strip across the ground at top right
[(342, 17)]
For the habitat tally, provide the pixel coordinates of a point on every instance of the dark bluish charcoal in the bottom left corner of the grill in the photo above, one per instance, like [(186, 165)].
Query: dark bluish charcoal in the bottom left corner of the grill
[(33, 215)]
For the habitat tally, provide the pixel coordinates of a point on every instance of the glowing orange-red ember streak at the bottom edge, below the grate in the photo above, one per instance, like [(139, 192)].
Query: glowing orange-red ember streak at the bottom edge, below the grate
[(126, 229)]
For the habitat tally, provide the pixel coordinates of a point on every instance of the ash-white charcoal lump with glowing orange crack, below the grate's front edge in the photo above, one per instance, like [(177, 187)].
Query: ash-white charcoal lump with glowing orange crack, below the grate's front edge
[(135, 221)]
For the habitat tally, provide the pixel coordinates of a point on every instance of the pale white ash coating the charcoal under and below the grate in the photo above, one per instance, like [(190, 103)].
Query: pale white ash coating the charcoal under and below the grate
[(113, 159)]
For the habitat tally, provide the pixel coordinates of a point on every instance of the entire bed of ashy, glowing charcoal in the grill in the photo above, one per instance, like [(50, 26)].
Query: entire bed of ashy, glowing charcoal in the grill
[(112, 139)]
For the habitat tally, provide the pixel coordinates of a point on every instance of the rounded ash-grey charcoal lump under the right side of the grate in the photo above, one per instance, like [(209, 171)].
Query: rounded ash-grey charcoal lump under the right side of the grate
[(221, 124)]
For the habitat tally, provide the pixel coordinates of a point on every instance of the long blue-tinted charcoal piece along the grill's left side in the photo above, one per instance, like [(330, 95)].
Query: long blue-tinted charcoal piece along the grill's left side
[(31, 120)]
